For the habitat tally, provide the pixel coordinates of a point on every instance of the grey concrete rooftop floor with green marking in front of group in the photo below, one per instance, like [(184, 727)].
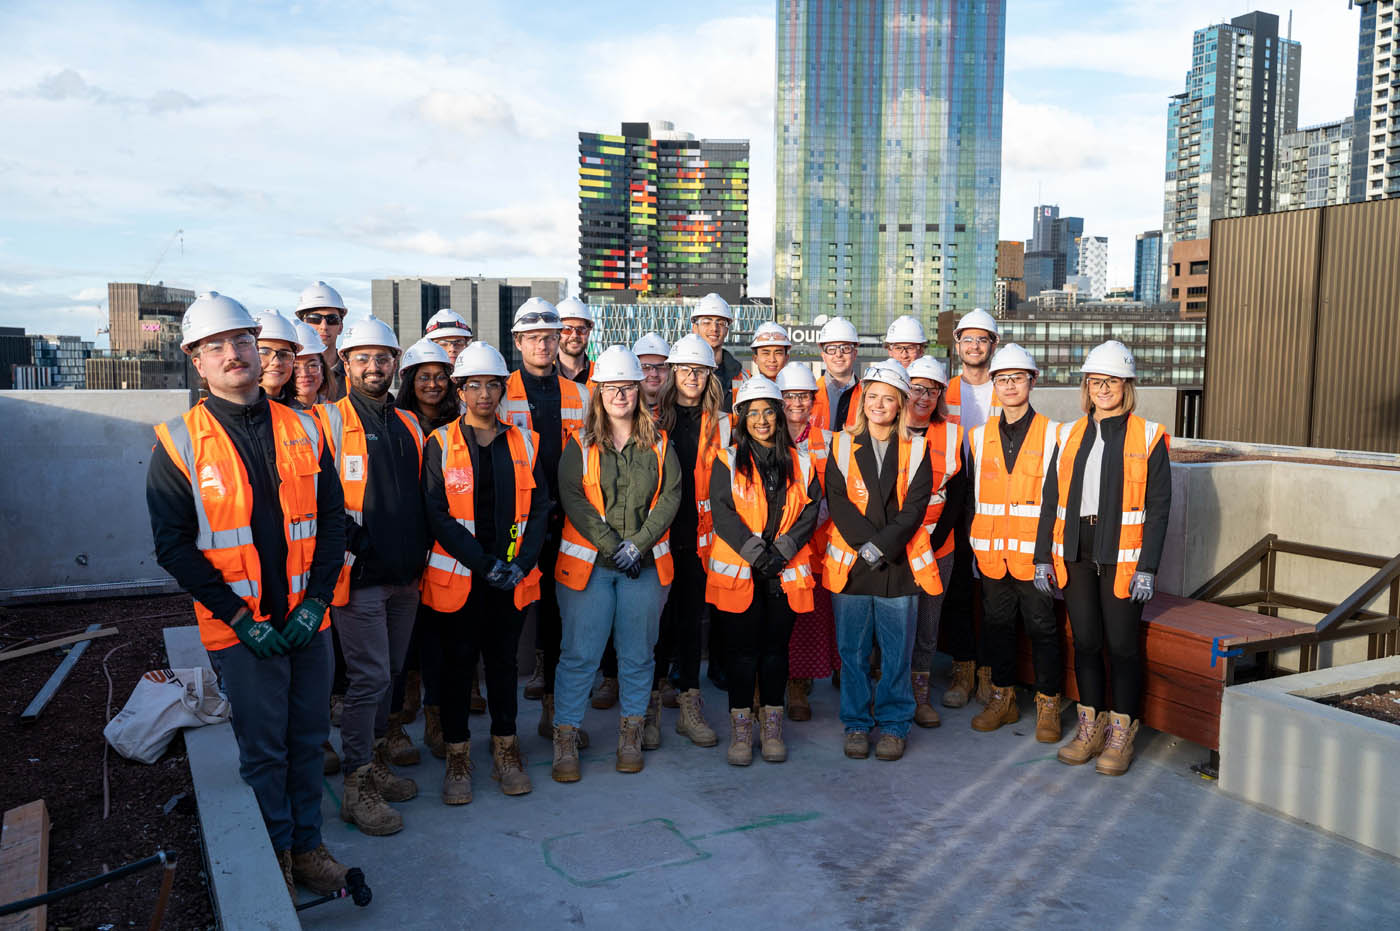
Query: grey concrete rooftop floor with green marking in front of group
[(968, 829)]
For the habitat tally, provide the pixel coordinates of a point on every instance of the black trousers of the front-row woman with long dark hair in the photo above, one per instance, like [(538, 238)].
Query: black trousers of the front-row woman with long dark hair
[(758, 642)]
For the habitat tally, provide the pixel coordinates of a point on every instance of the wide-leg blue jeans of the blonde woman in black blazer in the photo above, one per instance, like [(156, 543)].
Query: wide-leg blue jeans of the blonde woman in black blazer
[(892, 621)]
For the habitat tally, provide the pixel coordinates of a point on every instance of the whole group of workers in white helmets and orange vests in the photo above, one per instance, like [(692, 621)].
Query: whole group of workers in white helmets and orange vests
[(359, 554)]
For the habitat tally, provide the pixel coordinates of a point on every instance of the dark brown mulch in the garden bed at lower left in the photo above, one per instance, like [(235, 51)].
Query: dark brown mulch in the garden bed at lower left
[(59, 759)]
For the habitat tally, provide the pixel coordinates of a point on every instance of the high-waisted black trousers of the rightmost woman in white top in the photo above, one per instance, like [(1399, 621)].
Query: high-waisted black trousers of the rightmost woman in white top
[(1097, 615)]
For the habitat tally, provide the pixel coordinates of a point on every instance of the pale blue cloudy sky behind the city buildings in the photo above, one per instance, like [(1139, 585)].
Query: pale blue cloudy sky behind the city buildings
[(353, 141)]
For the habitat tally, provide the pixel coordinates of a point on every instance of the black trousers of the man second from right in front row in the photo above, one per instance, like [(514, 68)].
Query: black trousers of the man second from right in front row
[(1002, 601)]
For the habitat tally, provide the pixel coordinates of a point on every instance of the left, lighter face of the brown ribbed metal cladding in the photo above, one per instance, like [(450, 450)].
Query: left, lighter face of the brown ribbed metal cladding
[(1259, 334)]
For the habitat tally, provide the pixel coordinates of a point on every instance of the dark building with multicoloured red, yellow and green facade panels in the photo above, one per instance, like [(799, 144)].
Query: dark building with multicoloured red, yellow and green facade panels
[(663, 215)]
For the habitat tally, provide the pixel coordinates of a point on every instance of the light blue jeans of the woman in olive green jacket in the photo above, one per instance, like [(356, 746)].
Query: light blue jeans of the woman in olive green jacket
[(629, 610)]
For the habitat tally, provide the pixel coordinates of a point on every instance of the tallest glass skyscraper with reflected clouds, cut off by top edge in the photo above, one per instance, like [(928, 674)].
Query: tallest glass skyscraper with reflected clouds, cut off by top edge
[(888, 157)]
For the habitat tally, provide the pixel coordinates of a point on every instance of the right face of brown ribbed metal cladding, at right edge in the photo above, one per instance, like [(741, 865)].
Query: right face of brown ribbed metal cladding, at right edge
[(1357, 384)]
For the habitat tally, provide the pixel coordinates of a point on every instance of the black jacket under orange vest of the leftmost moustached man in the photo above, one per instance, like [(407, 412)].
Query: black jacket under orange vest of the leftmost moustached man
[(176, 527)]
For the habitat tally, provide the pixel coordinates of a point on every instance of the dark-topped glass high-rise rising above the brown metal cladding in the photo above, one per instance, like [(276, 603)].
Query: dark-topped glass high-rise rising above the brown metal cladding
[(1224, 129)]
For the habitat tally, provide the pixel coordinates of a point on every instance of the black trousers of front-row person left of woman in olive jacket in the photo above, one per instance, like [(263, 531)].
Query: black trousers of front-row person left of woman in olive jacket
[(486, 628)]
